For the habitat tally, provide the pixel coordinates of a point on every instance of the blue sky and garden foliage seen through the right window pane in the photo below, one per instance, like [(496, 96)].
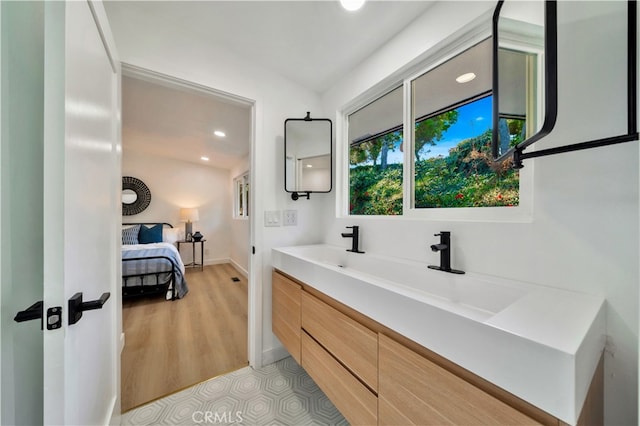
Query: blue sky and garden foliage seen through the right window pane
[(453, 162)]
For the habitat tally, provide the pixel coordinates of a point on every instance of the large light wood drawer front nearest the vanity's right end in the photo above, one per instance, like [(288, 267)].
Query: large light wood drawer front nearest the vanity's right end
[(414, 390)]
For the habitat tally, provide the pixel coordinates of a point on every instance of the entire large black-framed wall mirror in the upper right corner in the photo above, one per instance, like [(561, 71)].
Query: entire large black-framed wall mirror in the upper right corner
[(527, 78)]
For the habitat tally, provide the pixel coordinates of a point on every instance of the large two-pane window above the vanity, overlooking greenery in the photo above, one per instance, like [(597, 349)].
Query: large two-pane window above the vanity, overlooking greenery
[(451, 165)]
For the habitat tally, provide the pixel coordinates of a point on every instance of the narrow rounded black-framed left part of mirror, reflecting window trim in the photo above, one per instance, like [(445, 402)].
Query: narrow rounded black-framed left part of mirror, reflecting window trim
[(524, 74)]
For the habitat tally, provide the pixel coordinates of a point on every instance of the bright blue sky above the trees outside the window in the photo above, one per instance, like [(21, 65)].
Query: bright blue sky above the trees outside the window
[(473, 119)]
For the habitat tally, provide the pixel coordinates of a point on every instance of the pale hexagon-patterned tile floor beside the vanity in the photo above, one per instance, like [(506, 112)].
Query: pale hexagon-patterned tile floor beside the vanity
[(278, 394)]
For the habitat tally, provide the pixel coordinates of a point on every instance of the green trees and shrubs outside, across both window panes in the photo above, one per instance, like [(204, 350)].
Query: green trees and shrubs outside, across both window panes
[(466, 177)]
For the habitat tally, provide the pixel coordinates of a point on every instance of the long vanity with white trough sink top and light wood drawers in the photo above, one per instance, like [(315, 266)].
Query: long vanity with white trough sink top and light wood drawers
[(464, 350)]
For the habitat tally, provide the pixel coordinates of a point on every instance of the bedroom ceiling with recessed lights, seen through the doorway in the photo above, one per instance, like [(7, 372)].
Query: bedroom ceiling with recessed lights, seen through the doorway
[(177, 122)]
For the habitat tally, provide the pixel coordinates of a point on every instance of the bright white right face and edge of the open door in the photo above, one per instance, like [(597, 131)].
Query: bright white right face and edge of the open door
[(82, 212)]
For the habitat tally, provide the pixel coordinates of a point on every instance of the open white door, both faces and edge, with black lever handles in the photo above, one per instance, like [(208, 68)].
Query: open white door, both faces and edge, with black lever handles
[(75, 212)]
